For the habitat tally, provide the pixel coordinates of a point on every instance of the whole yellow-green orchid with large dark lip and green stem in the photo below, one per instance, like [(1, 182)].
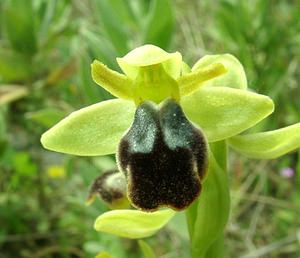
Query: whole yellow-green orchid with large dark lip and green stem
[(170, 126)]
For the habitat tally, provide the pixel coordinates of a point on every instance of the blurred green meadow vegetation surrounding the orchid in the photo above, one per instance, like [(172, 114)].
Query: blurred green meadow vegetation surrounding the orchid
[(46, 48)]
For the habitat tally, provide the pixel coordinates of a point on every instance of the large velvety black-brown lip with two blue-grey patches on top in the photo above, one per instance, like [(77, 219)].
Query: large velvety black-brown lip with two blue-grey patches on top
[(163, 156)]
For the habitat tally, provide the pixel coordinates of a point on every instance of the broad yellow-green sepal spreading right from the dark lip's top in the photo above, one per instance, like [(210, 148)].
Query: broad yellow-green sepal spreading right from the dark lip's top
[(223, 112)]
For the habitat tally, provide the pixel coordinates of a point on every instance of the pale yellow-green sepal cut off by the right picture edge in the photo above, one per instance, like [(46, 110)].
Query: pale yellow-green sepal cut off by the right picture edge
[(268, 145)]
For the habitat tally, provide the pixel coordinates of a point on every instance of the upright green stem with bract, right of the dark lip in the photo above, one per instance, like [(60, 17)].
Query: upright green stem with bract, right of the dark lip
[(208, 216)]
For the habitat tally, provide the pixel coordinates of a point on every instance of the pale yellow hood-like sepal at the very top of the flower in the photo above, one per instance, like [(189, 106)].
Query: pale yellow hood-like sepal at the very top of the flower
[(150, 55)]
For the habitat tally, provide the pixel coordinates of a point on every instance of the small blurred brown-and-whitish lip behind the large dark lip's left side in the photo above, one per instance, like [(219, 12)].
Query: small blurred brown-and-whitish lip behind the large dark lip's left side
[(111, 188)]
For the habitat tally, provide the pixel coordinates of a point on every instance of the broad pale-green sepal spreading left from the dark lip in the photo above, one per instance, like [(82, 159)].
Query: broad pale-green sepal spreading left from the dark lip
[(91, 131)]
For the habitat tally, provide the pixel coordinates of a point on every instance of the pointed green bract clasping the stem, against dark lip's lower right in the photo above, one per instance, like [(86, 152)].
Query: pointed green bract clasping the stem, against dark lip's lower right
[(213, 210)]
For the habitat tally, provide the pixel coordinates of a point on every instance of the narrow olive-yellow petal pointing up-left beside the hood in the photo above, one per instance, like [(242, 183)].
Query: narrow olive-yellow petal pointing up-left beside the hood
[(117, 84)]
